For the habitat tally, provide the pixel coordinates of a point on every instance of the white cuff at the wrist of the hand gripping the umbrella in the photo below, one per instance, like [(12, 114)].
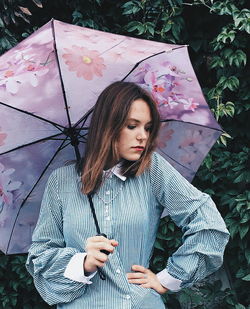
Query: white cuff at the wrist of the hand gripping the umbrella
[(75, 271)]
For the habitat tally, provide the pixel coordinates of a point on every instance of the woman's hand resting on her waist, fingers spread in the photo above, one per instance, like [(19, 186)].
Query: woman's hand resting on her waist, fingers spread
[(145, 278)]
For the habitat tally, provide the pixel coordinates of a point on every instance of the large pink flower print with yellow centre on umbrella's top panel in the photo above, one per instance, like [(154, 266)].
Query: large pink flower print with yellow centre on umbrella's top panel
[(86, 63)]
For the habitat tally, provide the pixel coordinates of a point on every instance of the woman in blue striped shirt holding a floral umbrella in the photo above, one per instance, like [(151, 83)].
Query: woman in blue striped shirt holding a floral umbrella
[(130, 186)]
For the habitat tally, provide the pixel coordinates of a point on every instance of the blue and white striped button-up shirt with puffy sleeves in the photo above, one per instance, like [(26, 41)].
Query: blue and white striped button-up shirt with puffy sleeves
[(128, 211)]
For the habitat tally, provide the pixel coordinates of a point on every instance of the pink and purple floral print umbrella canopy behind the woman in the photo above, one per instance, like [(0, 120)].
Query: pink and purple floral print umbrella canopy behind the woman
[(48, 85)]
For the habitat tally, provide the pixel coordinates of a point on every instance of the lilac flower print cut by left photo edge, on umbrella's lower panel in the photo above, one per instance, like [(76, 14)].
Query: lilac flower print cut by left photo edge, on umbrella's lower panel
[(7, 186)]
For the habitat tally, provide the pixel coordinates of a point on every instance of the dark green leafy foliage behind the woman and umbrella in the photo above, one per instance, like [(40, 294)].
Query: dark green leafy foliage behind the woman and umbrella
[(217, 32)]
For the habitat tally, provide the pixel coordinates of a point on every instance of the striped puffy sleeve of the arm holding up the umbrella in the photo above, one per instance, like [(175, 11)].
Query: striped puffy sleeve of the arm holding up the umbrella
[(48, 256)]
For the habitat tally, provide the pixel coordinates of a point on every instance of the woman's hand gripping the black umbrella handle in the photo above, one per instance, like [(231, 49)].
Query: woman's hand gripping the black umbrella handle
[(95, 258)]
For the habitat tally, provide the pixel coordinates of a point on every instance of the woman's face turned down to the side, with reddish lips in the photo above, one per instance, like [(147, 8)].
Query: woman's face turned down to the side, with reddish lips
[(133, 137)]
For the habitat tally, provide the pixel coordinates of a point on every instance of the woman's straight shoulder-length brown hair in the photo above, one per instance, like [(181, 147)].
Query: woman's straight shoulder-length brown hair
[(109, 117)]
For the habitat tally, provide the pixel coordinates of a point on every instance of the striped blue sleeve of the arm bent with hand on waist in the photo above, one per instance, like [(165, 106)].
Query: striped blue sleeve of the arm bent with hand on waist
[(204, 232)]
